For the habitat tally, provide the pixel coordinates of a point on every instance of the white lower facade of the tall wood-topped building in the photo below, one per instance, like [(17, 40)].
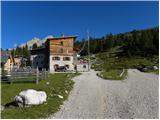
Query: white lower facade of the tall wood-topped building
[(60, 62)]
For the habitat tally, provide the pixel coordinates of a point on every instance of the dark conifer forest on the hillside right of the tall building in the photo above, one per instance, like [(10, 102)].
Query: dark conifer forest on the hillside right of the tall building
[(137, 42)]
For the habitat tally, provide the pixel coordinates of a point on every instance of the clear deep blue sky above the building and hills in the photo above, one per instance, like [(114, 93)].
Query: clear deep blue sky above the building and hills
[(21, 21)]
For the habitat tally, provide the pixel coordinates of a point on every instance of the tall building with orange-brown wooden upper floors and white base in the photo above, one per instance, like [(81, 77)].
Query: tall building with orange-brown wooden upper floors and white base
[(58, 53)]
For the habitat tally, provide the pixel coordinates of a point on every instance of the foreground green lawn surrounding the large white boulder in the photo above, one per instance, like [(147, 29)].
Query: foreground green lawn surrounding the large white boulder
[(59, 83)]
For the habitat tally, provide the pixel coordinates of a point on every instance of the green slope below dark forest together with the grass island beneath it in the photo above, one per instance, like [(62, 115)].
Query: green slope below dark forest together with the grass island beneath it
[(110, 65)]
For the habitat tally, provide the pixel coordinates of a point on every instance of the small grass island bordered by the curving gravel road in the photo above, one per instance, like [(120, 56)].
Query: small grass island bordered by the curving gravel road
[(113, 74)]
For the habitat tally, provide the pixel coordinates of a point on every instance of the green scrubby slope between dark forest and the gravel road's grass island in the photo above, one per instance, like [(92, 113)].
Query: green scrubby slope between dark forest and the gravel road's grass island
[(117, 62)]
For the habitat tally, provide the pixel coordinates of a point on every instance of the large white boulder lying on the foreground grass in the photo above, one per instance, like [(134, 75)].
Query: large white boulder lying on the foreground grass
[(30, 97)]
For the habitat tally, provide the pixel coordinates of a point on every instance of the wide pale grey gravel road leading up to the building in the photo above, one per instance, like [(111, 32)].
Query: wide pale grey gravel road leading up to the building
[(93, 97)]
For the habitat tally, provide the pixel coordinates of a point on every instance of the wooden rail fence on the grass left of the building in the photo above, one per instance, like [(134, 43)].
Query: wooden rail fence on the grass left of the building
[(33, 76)]
